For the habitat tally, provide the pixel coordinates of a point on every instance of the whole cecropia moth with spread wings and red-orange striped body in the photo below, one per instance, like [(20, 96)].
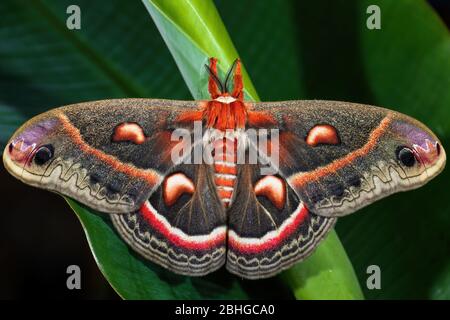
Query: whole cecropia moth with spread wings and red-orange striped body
[(255, 207)]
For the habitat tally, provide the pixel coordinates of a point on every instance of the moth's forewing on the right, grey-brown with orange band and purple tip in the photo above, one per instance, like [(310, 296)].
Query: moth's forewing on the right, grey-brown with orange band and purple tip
[(340, 157)]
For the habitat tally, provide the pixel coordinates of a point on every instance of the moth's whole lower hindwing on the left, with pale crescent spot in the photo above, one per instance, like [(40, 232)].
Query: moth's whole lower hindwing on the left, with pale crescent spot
[(188, 236)]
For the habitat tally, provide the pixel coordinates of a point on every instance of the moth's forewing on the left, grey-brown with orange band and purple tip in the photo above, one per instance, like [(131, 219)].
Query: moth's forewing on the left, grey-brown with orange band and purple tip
[(108, 154)]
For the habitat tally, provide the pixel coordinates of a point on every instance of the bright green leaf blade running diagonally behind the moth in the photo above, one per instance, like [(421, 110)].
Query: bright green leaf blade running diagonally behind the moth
[(198, 21)]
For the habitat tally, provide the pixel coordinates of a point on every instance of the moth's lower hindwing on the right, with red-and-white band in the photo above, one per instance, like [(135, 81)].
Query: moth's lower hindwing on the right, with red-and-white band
[(264, 239)]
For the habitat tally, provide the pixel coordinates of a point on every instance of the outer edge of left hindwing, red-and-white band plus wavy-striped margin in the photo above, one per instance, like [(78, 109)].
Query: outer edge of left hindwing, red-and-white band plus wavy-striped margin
[(151, 235)]
